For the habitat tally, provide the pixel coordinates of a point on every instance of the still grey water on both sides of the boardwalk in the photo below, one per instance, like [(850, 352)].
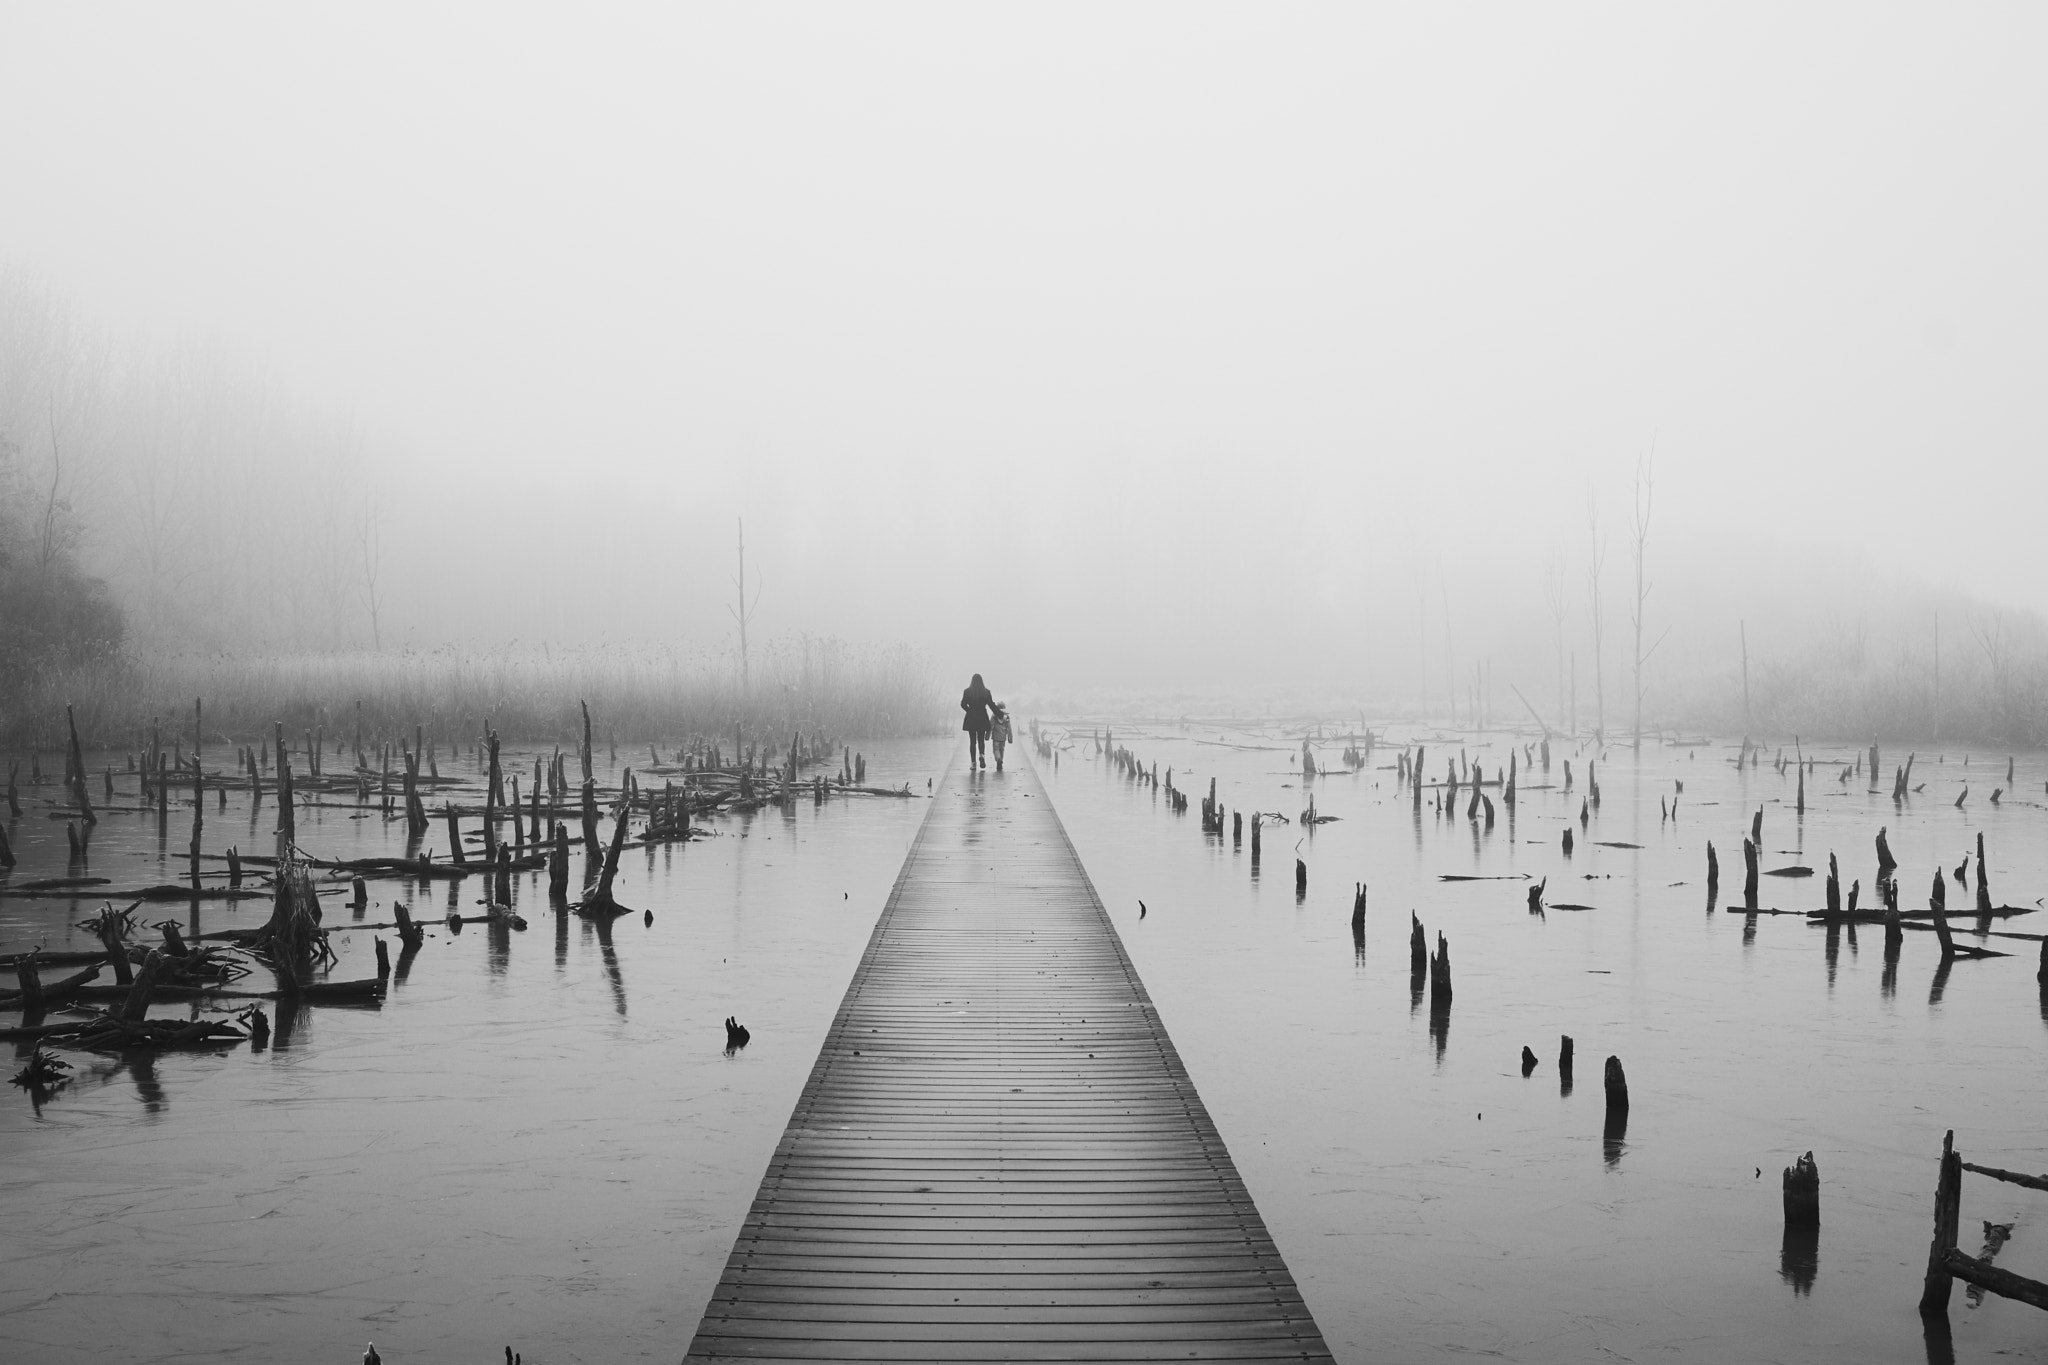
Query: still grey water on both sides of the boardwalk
[(540, 1141)]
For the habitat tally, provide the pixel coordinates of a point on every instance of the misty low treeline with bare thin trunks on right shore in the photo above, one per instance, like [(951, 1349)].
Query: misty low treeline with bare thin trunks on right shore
[(1785, 652)]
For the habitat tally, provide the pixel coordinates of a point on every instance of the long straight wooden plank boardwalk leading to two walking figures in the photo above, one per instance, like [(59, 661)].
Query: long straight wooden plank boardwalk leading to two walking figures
[(998, 1155)]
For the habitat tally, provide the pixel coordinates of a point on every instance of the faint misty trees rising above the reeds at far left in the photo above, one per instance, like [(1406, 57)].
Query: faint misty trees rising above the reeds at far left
[(214, 509)]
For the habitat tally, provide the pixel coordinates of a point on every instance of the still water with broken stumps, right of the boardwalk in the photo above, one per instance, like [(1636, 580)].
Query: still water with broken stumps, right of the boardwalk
[(1435, 1204)]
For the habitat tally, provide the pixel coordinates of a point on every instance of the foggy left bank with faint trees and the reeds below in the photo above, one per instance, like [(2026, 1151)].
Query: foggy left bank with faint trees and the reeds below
[(173, 527)]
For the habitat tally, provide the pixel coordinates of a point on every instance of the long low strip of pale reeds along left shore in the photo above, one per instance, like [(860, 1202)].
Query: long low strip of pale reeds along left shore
[(523, 693)]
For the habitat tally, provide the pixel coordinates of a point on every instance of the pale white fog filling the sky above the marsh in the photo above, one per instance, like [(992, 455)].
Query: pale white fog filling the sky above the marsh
[(1095, 349)]
